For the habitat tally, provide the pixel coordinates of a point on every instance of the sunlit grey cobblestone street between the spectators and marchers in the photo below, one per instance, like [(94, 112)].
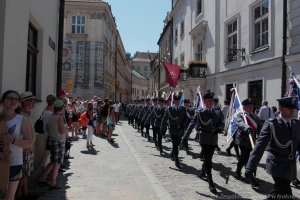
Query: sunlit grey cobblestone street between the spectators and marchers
[(133, 169)]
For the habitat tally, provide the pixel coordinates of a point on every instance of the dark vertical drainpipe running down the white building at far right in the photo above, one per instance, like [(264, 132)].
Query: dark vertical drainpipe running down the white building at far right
[(284, 49)]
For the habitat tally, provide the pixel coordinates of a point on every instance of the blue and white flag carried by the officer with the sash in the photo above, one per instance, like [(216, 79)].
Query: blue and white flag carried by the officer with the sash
[(234, 109)]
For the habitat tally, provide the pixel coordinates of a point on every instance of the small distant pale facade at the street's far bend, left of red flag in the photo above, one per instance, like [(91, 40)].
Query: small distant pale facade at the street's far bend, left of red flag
[(140, 86)]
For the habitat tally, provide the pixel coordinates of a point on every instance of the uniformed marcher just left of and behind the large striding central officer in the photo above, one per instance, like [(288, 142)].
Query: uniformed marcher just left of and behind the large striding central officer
[(176, 116)]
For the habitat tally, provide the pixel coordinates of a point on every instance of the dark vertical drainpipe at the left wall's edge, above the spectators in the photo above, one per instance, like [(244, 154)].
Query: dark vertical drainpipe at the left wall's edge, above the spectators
[(60, 44)]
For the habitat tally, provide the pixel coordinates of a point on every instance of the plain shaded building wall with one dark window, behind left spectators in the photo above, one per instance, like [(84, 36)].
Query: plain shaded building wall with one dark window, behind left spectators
[(28, 47)]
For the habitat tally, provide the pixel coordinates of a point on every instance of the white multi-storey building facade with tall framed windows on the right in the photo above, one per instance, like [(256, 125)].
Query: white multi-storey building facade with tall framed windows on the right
[(241, 44)]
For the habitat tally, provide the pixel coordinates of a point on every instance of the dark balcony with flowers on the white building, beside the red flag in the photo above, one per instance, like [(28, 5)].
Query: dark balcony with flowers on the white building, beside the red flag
[(196, 69)]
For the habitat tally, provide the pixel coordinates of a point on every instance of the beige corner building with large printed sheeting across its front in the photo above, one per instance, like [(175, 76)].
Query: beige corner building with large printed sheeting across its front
[(93, 52)]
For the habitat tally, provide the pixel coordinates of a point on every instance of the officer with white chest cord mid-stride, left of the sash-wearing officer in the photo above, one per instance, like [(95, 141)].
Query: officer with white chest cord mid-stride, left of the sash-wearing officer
[(211, 123)]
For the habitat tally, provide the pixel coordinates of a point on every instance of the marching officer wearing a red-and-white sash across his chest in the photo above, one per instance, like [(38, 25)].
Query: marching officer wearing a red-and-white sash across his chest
[(244, 132)]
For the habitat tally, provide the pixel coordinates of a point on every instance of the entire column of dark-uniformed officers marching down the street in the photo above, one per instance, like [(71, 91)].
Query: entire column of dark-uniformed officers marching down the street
[(280, 136)]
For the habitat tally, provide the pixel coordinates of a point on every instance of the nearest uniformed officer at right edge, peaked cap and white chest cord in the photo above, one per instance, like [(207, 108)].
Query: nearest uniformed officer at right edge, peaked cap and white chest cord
[(281, 137)]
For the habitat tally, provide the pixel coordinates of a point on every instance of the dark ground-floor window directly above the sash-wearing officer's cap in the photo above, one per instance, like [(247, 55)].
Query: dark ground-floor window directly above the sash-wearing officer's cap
[(255, 92)]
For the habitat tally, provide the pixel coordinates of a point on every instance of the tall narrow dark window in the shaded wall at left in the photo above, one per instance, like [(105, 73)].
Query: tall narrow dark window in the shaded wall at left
[(32, 52)]
